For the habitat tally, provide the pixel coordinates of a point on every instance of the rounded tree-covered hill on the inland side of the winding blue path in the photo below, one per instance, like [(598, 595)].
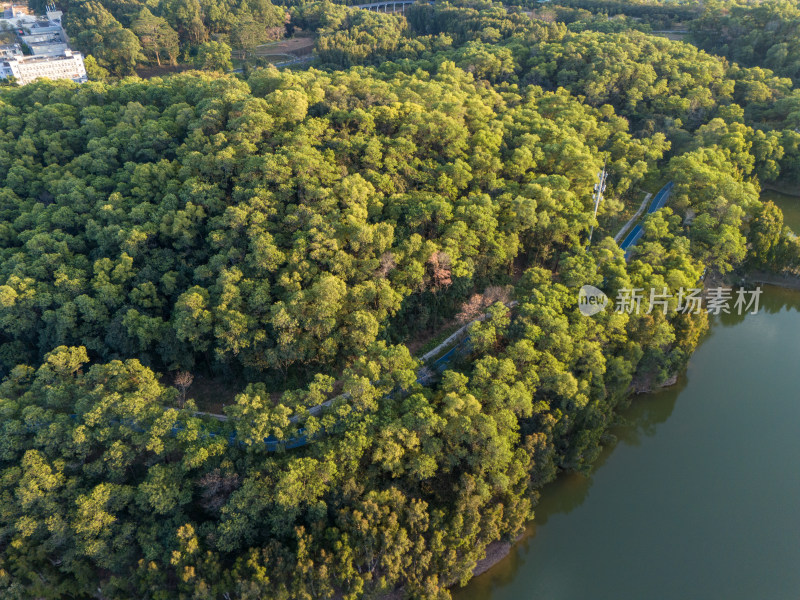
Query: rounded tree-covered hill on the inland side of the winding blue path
[(192, 222)]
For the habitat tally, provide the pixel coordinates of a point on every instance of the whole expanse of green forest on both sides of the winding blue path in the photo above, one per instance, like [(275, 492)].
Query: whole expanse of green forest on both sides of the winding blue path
[(294, 231)]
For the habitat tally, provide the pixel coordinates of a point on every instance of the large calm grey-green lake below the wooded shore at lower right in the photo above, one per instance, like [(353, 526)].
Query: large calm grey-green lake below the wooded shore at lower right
[(699, 499)]
